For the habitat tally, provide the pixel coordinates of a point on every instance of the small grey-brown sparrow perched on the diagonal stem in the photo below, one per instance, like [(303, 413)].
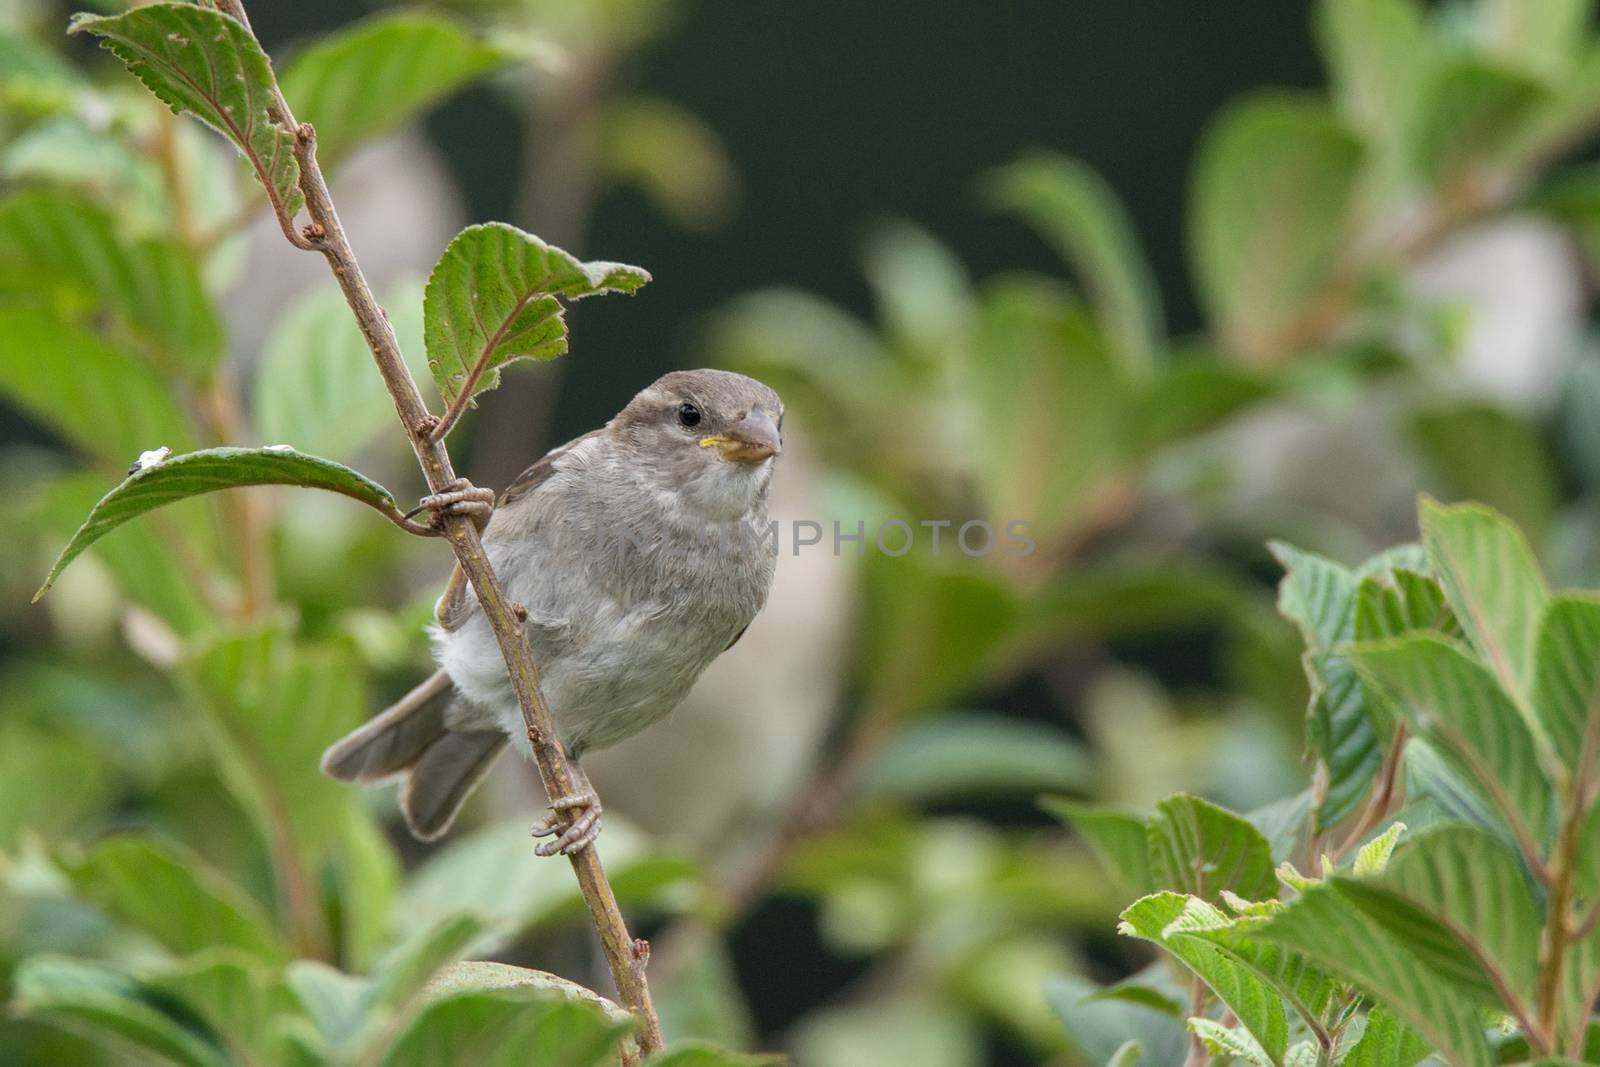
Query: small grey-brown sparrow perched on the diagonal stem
[(639, 553)]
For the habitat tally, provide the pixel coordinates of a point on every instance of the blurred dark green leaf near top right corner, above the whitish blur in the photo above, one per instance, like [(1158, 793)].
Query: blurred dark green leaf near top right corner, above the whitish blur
[(1471, 116)]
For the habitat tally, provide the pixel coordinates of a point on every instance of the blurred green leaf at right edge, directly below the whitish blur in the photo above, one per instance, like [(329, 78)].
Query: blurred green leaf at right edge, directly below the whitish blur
[(1494, 457)]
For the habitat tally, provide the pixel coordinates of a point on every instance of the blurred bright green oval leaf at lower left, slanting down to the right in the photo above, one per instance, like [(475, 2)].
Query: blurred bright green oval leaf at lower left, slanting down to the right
[(172, 898)]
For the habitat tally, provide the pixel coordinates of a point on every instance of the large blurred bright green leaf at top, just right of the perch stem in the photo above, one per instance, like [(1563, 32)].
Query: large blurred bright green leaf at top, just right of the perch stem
[(380, 74)]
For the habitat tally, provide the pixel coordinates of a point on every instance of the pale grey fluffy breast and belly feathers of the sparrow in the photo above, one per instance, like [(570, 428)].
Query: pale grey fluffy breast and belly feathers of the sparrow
[(633, 591)]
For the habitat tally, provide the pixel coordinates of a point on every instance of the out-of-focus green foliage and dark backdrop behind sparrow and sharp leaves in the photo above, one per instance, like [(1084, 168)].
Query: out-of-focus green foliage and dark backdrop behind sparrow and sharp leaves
[(1162, 282)]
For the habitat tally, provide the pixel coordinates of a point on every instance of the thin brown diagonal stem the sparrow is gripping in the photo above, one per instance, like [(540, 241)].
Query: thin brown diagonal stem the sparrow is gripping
[(326, 234)]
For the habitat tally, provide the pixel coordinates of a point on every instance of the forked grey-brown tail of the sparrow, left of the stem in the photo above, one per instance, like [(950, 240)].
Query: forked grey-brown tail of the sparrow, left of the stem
[(410, 738)]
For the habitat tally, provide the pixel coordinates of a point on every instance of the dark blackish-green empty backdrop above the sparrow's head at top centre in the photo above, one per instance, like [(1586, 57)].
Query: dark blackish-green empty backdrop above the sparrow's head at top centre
[(842, 113)]
